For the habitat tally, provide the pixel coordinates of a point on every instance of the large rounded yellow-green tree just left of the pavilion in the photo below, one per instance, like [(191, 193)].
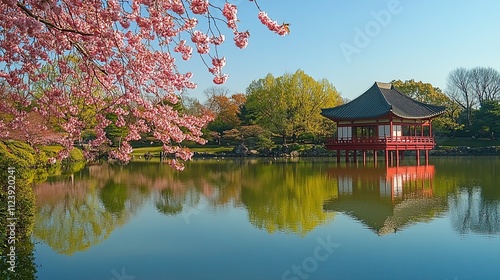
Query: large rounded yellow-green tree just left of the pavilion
[(290, 105)]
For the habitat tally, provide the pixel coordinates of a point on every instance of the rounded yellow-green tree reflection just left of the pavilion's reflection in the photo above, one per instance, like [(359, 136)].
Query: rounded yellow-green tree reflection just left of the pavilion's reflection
[(294, 203)]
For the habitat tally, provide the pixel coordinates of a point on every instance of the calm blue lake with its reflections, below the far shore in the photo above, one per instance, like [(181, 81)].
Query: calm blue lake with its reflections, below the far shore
[(271, 219)]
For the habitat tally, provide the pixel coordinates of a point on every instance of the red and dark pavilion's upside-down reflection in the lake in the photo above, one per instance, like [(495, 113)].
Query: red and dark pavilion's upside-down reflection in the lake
[(386, 199)]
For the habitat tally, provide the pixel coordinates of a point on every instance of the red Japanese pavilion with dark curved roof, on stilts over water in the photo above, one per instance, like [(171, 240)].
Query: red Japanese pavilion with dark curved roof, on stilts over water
[(383, 119)]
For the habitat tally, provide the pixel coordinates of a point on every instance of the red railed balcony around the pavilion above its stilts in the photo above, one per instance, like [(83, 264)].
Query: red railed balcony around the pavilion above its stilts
[(396, 143)]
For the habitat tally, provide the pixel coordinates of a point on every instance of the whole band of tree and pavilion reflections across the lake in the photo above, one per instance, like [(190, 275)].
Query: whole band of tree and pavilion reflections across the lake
[(74, 213)]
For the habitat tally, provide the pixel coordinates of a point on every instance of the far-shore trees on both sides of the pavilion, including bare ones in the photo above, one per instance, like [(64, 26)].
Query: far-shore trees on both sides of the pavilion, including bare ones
[(286, 109)]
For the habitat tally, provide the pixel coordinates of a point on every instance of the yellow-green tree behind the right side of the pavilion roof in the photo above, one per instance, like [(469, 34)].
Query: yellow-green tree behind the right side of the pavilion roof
[(427, 93)]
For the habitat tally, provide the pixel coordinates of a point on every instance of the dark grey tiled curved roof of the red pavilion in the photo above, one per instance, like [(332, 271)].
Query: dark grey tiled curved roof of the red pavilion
[(382, 99)]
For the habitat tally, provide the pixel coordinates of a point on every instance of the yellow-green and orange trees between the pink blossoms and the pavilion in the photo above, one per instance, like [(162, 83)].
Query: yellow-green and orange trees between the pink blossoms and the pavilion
[(274, 110)]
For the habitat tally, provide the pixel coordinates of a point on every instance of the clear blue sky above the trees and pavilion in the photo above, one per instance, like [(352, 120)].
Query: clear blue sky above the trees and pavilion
[(405, 39)]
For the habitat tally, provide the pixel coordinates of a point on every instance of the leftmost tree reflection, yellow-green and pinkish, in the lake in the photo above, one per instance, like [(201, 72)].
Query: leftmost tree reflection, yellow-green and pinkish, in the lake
[(76, 212)]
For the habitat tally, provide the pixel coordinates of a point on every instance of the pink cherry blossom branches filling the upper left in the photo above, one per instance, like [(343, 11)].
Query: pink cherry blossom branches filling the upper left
[(73, 66)]
